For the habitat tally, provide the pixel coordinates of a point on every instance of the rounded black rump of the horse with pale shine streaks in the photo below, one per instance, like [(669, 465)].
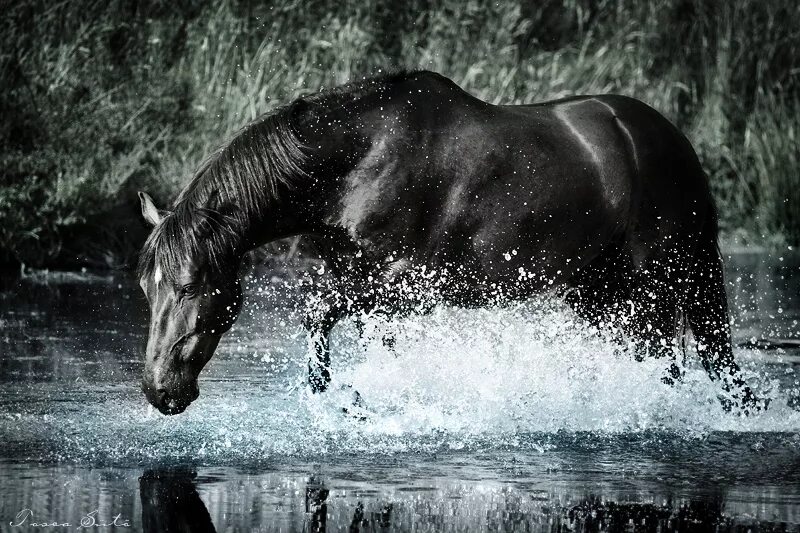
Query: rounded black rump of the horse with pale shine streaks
[(640, 153)]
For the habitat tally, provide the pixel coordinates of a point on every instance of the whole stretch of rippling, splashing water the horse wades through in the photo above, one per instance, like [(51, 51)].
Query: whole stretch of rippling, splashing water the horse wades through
[(511, 419)]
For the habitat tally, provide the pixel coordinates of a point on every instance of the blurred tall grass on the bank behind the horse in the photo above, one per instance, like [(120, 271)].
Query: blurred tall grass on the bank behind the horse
[(100, 99)]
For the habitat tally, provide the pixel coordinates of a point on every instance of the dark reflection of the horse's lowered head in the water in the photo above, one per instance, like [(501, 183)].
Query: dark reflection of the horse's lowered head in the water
[(170, 502)]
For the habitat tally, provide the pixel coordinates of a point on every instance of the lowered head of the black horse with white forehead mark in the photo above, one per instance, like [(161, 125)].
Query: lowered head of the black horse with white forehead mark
[(189, 273)]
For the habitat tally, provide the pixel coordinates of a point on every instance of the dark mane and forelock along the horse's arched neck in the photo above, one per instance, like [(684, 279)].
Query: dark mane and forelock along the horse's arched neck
[(247, 172)]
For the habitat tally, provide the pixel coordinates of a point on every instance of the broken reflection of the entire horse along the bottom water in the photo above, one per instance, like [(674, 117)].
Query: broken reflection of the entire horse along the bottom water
[(171, 503)]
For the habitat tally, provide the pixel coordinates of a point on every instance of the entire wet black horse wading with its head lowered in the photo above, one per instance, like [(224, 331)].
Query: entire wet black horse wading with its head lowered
[(405, 178)]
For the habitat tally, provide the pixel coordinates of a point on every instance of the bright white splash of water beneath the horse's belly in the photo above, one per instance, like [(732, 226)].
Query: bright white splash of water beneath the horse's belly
[(535, 367)]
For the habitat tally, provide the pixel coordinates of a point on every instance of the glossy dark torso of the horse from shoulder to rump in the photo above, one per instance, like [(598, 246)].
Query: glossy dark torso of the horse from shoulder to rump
[(543, 187)]
